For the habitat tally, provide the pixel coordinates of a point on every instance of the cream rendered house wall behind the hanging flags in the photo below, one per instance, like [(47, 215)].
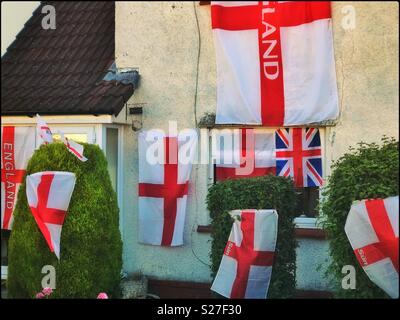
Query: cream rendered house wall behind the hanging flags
[(161, 40)]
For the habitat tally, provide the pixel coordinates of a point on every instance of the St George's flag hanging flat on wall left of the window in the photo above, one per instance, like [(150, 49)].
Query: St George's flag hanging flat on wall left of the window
[(165, 164)]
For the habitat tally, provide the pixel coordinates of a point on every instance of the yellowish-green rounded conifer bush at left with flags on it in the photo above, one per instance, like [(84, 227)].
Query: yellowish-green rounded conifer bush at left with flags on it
[(91, 247)]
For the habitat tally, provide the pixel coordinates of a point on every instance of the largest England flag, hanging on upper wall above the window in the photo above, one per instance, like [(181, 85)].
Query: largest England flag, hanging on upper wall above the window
[(275, 62)]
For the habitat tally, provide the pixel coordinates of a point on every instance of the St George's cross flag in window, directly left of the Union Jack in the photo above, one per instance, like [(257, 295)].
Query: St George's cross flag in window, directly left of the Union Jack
[(243, 153)]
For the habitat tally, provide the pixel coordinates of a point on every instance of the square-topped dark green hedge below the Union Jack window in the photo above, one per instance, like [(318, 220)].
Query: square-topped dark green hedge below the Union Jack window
[(269, 192)]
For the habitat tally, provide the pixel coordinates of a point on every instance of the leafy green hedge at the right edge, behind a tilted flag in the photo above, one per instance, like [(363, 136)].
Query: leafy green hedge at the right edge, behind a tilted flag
[(370, 171)]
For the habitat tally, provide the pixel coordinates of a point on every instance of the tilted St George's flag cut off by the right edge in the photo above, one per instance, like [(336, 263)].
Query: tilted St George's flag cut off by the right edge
[(372, 228)]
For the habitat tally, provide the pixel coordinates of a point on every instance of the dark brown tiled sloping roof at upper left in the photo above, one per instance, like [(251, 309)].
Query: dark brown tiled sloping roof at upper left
[(61, 71)]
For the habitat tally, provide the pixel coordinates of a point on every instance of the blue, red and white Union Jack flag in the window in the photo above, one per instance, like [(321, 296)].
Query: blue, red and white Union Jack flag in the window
[(298, 155)]
